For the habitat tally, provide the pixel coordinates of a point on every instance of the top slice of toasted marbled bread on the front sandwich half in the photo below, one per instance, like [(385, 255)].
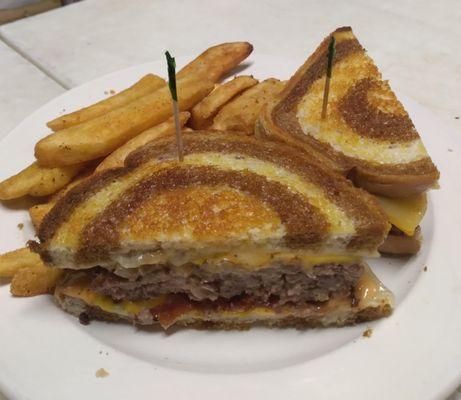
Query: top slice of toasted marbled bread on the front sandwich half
[(231, 195)]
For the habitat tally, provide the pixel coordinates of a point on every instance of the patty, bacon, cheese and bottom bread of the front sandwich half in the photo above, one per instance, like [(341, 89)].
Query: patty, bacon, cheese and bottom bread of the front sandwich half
[(328, 294)]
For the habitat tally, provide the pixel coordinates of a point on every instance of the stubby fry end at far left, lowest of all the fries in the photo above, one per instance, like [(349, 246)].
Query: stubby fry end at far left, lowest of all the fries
[(36, 280)]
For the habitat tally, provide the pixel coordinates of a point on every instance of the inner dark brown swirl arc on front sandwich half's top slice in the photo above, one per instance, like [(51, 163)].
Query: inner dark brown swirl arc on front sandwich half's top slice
[(102, 236)]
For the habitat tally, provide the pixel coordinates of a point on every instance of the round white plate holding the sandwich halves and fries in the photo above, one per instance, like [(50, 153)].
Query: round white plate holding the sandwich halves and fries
[(414, 354)]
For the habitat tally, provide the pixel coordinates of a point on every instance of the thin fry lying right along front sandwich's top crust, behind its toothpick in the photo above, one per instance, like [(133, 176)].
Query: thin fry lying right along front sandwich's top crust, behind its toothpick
[(117, 158)]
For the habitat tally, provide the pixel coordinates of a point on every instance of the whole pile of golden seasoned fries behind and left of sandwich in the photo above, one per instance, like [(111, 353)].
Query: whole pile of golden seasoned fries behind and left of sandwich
[(101, 136)]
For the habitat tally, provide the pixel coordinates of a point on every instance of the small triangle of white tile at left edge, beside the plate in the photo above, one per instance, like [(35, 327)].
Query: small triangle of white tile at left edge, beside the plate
[(23, 88)]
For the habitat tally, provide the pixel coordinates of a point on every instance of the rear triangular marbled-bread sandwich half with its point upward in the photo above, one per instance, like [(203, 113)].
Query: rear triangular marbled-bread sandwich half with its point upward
[(366, 136)]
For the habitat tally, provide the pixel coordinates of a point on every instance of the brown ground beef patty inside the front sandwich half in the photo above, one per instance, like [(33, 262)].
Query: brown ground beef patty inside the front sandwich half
[(280, 284)]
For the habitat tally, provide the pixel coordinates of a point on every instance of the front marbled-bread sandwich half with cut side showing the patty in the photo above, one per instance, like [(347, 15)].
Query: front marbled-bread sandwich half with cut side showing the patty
[(241, 232)]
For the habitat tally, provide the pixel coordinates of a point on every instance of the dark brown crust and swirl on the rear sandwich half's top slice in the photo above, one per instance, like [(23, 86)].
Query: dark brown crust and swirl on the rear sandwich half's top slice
[(361, 115)]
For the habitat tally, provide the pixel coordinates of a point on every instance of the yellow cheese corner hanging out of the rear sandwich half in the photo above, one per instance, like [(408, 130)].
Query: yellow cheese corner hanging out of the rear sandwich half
[(405, 213)]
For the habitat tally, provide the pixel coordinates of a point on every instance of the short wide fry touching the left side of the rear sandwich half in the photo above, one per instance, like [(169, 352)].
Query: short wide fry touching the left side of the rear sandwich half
[(240, 114)]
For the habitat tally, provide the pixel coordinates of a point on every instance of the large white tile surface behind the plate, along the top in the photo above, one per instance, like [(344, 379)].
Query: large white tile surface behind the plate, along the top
[(414, 43)]
